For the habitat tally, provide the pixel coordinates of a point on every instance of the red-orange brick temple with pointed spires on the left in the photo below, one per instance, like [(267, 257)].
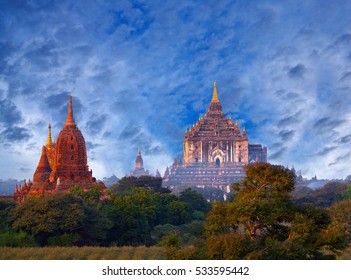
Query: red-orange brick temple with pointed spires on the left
[(62, 165)]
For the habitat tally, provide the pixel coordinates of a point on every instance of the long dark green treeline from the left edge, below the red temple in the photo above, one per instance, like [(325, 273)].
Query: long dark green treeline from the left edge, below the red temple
[(129, 217)]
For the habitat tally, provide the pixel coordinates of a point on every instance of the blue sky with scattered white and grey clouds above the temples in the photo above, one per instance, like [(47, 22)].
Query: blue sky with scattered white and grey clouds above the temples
[(141, 72)]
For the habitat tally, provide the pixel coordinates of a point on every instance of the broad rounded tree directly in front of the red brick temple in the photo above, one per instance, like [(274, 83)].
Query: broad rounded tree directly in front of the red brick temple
[(57, 214)]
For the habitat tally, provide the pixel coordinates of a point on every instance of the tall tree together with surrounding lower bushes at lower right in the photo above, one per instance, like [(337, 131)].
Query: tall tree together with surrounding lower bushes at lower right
[(263, 223)]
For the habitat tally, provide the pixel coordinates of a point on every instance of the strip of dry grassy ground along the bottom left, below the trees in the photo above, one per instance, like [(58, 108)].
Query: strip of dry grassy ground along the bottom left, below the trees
[(83, 253)]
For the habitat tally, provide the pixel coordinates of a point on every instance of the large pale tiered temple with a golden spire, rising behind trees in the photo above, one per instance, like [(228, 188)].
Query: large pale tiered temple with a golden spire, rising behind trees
[(216, 151)]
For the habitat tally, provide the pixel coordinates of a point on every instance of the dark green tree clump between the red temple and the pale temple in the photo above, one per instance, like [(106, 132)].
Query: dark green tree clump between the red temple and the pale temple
[(135, 215)]
